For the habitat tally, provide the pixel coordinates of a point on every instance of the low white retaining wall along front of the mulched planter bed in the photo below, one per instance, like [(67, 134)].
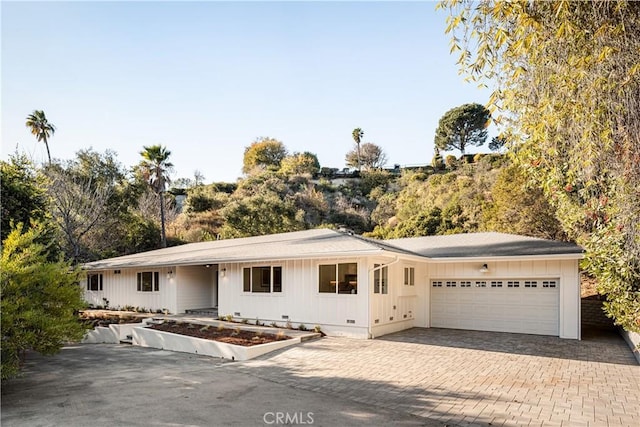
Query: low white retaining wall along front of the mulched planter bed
[(146, 337)]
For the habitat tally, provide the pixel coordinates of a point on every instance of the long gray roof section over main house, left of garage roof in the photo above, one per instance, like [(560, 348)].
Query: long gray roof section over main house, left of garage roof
[(319, 243)]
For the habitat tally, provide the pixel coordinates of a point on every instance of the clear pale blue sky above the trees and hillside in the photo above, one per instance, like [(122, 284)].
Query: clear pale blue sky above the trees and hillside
[(206, 79)]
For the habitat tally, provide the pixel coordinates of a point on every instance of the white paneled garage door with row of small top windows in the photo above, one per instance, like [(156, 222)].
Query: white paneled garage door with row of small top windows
[(528, 306)]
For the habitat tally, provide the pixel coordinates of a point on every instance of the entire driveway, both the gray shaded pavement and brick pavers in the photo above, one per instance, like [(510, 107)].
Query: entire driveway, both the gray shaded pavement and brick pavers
[(431, 377)]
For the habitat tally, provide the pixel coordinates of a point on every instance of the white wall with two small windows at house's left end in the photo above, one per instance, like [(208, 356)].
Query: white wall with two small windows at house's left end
[(122, 290)]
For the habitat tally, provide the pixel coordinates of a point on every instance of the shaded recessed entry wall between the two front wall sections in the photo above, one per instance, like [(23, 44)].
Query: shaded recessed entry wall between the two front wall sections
[(195, 286)]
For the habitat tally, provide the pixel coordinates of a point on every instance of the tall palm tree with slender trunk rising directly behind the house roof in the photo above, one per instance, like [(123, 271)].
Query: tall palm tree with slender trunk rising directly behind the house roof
[(155, 169)]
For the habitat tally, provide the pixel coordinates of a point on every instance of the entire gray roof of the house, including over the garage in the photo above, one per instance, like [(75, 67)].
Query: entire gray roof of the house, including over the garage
[(323, 243)]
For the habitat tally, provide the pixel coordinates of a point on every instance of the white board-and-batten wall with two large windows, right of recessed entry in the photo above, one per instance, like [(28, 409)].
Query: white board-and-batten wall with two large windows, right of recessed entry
[(300, 301)]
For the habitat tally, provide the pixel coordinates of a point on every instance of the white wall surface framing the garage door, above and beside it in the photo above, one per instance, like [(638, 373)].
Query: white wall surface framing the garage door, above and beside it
[(565, 270)]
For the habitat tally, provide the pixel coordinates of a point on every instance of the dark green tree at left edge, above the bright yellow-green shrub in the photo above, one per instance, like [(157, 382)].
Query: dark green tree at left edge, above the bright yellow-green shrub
[(23, 198)]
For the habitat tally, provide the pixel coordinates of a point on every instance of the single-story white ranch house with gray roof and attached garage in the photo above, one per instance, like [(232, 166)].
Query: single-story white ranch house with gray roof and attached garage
[(354, 286)]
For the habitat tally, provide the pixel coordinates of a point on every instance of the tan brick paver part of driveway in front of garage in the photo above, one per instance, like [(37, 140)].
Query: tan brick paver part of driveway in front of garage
[(471, 378)]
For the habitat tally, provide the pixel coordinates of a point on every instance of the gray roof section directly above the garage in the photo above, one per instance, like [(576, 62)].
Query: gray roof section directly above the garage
[(484, 245)]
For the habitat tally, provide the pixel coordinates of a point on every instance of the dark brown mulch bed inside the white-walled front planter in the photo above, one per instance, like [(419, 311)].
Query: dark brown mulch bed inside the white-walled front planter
[(226, 335)]
